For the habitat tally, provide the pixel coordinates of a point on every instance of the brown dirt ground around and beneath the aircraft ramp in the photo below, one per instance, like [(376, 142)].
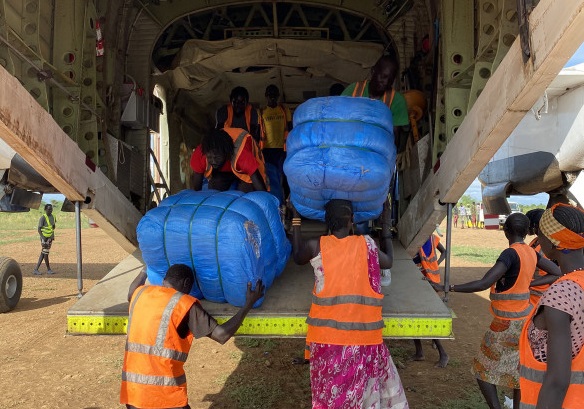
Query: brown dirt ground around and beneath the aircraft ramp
[(43, 367)]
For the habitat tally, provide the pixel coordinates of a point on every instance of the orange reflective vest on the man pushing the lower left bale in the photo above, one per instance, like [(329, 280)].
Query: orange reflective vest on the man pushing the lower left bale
[(153, 374)]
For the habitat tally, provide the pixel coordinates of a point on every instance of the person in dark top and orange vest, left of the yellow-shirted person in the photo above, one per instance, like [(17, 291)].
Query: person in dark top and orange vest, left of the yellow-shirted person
[(239, 113)]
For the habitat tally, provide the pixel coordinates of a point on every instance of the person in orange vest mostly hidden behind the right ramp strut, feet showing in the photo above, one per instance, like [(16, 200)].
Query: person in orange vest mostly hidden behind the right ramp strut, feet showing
[(428, 262)]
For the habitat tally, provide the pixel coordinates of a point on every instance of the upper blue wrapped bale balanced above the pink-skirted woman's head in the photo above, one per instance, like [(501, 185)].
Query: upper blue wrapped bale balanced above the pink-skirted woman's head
[(340, 148)]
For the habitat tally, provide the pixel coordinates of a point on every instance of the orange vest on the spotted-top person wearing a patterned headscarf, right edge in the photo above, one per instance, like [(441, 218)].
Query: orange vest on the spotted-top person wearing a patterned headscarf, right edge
[(532, 372)]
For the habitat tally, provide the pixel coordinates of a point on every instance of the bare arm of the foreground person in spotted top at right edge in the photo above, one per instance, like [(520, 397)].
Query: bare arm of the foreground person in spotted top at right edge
[(559, 359)]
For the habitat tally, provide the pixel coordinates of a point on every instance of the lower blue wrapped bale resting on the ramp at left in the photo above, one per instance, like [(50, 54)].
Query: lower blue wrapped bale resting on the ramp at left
[(228, 238)]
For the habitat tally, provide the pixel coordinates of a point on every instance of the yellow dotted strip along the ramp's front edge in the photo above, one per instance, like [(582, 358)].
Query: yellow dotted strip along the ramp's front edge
[(274, 326)]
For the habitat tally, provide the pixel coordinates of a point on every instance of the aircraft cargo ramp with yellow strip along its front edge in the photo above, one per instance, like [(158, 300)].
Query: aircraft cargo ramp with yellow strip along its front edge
[(411, 308)]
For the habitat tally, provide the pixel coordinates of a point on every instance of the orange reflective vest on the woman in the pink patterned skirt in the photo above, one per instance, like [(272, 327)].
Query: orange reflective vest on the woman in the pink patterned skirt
[(347, 311)]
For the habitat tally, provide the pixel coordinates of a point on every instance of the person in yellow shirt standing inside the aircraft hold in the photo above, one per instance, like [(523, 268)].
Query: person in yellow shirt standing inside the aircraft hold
[(276, 122)]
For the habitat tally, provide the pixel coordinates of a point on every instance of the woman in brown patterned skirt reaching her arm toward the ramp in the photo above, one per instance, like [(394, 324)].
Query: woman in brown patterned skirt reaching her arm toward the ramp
[(497, 363)]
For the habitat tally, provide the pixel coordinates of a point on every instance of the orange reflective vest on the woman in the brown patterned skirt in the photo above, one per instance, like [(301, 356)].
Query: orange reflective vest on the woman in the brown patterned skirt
[(513, 304)]
